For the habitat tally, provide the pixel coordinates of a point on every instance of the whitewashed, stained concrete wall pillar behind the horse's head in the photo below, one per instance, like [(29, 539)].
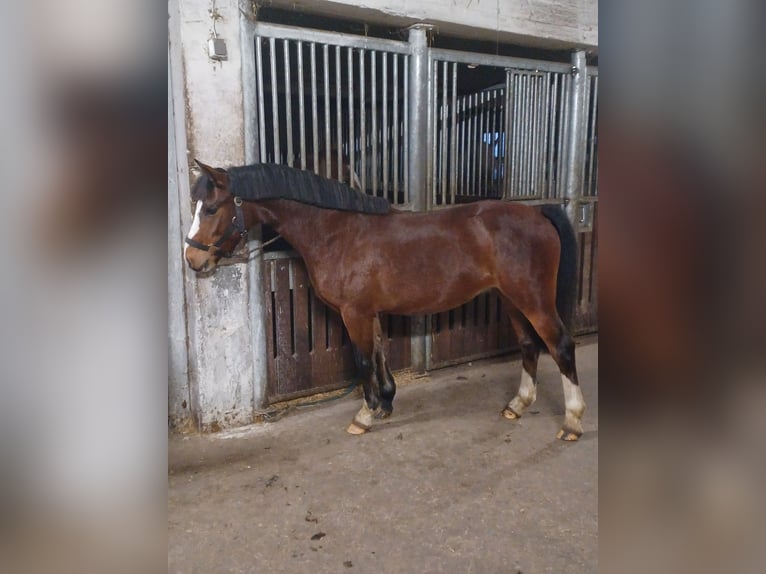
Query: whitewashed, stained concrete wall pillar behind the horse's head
[(218, 329)]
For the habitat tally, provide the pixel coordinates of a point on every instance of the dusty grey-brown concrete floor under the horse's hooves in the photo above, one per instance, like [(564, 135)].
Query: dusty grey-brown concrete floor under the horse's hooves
[(446, 485)]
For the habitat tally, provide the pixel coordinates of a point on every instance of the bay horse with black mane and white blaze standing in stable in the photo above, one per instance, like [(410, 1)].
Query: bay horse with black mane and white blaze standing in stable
[(365, 258)]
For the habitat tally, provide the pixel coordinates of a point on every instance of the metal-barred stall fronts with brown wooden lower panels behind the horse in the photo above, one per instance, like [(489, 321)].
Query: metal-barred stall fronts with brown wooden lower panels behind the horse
[(356, 109)]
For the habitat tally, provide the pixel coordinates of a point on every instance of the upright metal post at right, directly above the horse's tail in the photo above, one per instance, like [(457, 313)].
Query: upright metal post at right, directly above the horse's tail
[(576, 137)]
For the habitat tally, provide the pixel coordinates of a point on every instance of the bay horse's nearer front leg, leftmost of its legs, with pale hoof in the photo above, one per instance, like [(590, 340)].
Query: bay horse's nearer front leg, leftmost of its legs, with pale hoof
[(360, 328)]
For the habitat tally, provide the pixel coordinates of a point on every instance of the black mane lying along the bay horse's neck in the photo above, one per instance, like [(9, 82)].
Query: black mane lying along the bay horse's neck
[(272, 181)]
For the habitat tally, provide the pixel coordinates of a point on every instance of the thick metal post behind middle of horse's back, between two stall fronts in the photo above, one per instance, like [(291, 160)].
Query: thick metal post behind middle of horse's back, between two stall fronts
[(418, 152)]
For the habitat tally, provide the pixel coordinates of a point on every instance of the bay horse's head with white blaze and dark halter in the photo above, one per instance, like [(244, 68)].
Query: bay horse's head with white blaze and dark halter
[(219, 221)]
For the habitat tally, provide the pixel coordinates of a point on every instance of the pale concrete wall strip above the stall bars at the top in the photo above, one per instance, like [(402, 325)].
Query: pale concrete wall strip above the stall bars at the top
[(539, 23)]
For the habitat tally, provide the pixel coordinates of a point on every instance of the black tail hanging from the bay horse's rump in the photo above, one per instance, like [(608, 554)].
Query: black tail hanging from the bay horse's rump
[(566, 282)]
